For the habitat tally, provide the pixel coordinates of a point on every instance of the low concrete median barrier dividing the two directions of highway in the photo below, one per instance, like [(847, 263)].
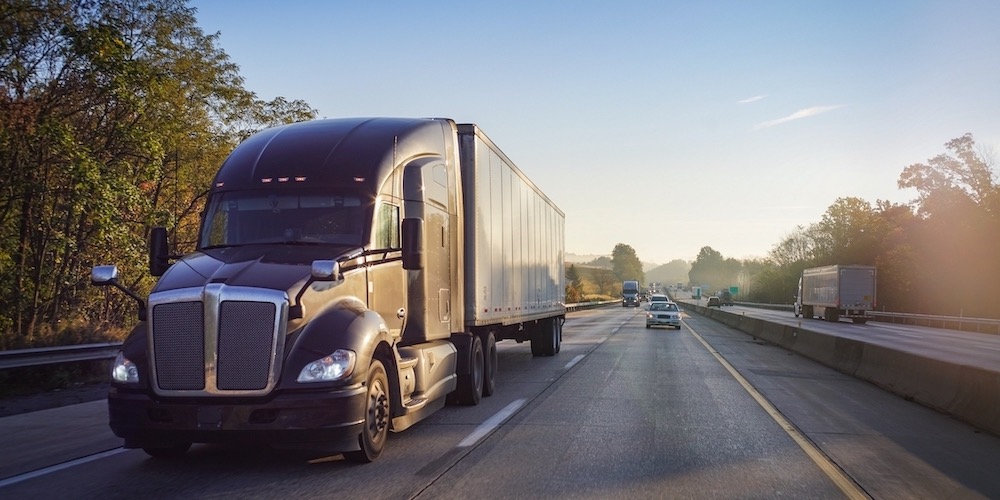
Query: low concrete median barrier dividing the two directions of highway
[(967, 393)]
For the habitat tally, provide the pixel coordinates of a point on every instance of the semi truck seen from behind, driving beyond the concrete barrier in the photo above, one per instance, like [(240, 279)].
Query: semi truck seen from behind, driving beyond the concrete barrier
[(837, 291)]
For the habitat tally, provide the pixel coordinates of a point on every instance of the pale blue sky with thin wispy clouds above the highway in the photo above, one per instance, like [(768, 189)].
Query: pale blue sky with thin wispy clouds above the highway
[(668, 126)]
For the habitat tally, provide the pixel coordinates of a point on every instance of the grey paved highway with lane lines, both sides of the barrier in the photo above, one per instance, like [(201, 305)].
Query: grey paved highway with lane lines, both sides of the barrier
[(623, 411)]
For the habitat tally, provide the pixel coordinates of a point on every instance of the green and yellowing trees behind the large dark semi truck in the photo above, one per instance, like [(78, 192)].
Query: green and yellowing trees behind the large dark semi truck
[(114, 115)]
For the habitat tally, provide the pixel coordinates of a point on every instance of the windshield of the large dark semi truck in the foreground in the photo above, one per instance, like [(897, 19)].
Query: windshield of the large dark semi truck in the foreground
[(254, 217)]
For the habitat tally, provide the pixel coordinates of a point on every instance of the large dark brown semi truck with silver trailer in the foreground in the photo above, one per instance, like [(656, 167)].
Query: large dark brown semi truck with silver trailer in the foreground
[(351, 277)]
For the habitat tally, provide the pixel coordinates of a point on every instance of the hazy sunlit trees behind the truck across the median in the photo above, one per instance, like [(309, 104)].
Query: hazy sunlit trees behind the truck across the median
[(935, 255)]
